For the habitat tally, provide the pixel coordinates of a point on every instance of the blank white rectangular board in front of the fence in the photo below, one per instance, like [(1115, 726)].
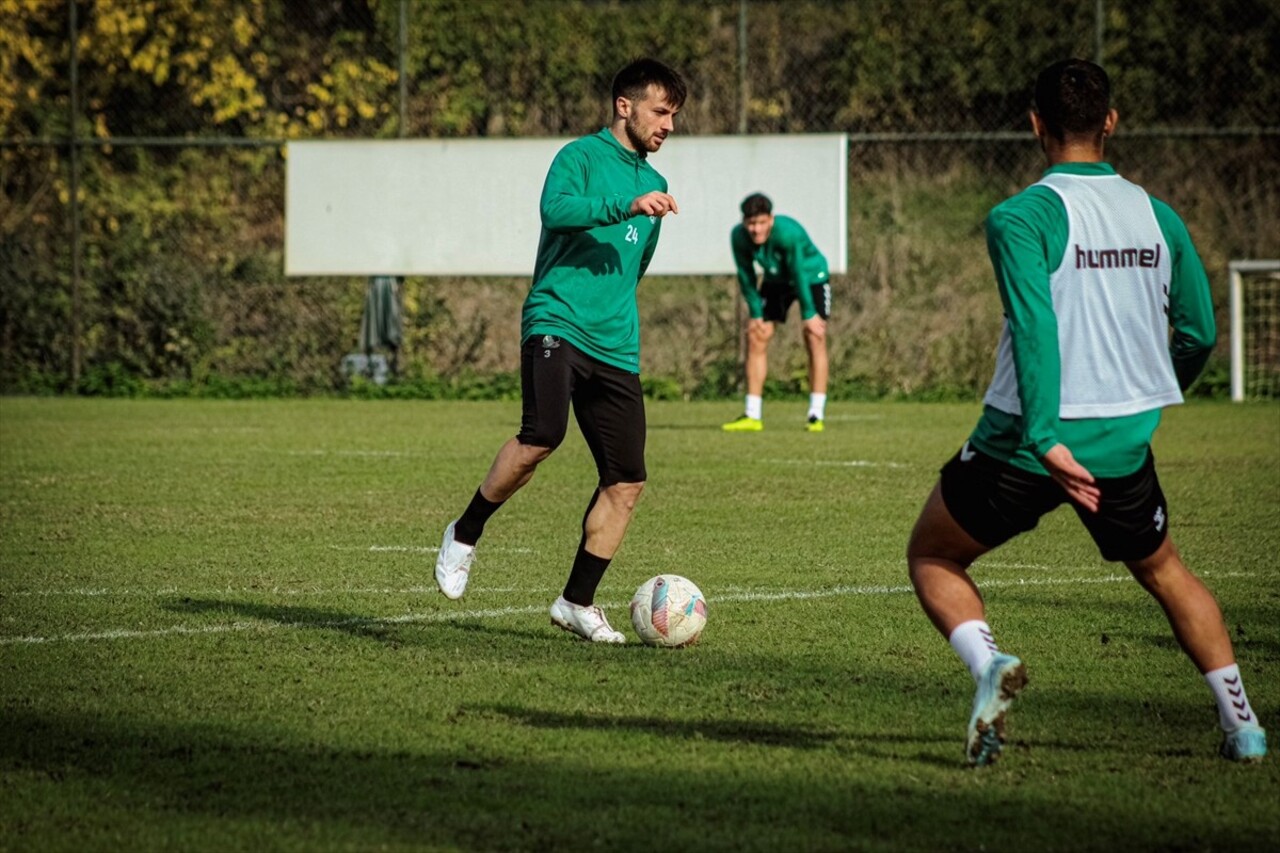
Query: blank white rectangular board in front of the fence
[(470, 207)]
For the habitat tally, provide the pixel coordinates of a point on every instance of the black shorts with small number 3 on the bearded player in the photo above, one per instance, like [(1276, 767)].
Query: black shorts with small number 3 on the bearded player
[(607, 403)]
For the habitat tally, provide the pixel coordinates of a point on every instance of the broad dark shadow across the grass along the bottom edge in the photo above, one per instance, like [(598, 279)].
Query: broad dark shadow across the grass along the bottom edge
[(83, 782)]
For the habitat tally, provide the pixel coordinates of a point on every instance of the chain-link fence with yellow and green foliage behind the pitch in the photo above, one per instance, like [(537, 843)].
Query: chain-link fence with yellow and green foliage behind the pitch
[(143, 170)]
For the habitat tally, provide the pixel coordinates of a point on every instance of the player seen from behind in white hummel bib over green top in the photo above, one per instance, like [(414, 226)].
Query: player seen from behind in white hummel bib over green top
[(1092, 273)]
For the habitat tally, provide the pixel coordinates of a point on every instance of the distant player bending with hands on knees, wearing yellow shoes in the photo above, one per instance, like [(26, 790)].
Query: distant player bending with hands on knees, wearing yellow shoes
[(794, 272)]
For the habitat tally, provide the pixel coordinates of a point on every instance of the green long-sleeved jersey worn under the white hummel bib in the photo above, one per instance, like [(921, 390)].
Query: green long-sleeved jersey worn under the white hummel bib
[(1027, 239)]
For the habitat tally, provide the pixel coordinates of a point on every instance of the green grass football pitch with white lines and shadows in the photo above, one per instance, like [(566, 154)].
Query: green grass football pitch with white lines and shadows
[(220, 631)]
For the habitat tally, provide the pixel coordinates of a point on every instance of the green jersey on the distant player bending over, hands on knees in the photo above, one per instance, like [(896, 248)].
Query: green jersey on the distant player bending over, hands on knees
[(788, 258)]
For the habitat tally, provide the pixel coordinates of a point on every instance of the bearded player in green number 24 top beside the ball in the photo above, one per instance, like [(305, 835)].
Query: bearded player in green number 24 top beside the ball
[(602, 211)]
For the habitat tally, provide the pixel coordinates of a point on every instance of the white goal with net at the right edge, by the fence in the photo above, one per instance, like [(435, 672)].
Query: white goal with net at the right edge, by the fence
[(1255, 304)]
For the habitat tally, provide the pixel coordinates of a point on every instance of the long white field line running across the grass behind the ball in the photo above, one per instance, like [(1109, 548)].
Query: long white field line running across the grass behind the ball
[(499, 613)]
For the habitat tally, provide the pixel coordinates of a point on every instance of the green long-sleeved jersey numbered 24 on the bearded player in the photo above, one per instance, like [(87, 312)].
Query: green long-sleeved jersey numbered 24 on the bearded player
[(593, 253)]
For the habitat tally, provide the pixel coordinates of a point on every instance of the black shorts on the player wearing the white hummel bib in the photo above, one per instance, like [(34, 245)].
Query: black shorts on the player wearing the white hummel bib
[(995, 501)]
